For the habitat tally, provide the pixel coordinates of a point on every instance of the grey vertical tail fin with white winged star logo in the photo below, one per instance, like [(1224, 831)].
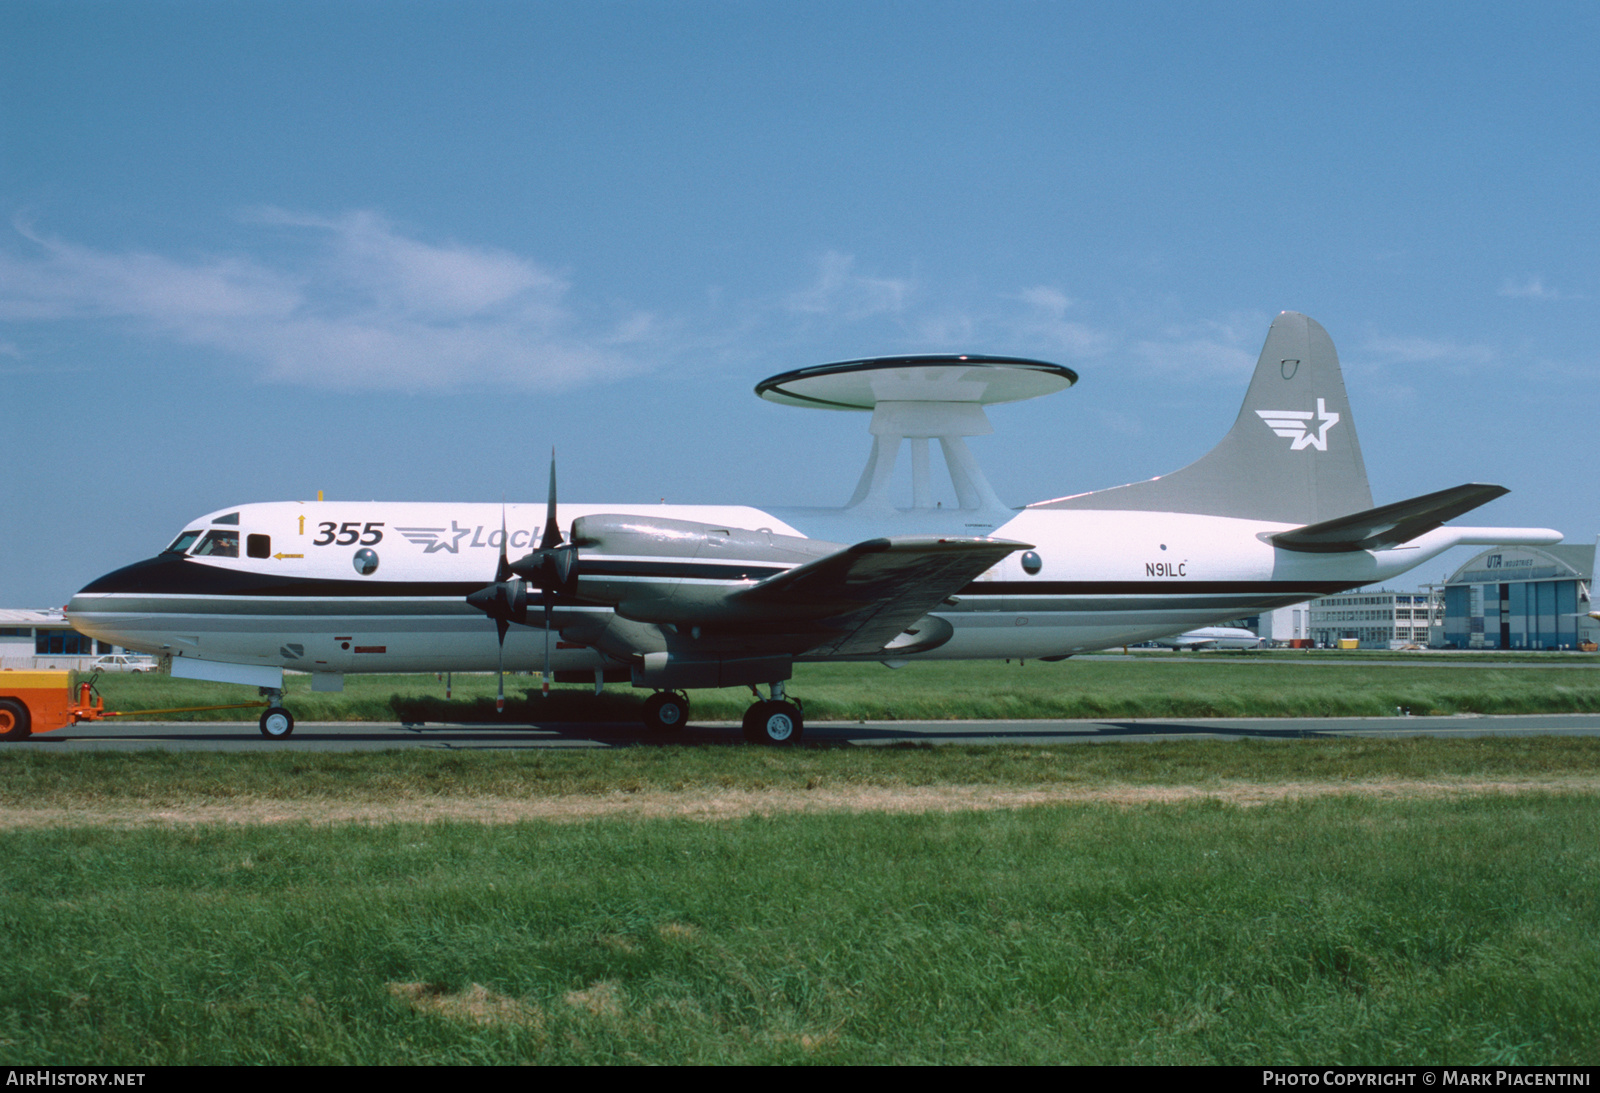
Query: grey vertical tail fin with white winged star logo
[(1290, 457)]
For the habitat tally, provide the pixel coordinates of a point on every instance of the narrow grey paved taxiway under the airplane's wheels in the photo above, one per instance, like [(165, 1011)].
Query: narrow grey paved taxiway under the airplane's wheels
[(346, 737)]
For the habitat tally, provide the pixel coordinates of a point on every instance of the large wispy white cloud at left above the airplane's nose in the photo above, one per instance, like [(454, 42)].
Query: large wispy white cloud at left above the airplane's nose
[(370, 308)]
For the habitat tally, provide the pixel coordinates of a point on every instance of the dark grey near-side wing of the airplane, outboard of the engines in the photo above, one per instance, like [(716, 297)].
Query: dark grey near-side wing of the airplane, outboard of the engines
[(865, 596)]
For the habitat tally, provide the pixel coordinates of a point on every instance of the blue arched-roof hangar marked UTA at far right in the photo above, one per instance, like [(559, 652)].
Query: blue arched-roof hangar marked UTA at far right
[(1522, 599)]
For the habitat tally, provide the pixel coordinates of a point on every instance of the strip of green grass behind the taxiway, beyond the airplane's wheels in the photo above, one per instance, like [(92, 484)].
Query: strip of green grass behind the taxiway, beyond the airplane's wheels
[(1161, 686)]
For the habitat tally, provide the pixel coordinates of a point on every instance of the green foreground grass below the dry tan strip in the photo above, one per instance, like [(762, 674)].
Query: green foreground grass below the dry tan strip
[(1337, 932)]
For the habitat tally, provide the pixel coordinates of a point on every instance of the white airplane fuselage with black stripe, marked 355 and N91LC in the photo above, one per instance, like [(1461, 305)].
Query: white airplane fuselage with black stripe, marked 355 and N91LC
[(382, 587)]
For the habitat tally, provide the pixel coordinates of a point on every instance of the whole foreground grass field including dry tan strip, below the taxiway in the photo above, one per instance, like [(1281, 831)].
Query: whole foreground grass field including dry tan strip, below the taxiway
[(1401, 902)]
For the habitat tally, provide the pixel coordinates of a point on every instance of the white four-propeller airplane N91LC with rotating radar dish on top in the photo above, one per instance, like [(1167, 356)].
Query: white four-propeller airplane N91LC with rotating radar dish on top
[(679, 598)]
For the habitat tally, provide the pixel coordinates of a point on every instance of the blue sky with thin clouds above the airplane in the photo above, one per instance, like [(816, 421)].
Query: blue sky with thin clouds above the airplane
[(398, 252)]
